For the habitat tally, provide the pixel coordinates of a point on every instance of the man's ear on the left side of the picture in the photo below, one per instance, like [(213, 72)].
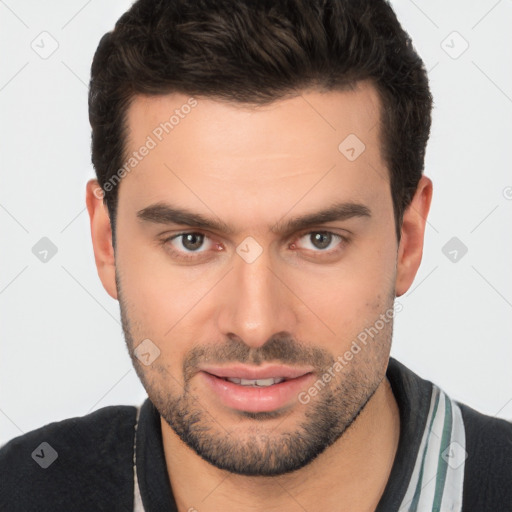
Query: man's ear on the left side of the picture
[(101, 233)]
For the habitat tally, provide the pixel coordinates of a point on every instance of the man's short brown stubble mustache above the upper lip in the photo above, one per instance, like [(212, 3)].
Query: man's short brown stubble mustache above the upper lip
[(281, 348)]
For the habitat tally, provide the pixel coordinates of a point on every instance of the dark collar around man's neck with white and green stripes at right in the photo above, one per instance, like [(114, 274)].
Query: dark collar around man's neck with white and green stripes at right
[(427, 473)]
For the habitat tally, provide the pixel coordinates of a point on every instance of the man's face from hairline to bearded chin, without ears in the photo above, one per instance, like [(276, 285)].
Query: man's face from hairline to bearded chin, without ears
[(257, 293)]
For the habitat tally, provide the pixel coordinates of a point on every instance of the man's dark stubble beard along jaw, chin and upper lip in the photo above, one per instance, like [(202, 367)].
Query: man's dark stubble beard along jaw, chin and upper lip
[(264, 448)]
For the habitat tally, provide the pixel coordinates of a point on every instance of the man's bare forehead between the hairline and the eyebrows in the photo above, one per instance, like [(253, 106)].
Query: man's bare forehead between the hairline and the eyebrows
[(215, 152)]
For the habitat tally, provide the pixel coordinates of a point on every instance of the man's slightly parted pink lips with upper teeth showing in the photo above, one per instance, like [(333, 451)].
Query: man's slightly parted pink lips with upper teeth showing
[(255, 389)]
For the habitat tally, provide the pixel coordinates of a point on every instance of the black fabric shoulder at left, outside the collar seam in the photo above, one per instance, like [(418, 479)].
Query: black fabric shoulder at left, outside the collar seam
[(81, 463)]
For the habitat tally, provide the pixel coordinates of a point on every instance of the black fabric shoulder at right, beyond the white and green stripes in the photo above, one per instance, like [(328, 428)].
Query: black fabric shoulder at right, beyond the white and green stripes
[(488, 466)]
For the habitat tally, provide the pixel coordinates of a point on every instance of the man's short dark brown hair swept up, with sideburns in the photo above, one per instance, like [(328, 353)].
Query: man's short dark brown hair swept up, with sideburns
[(258, 51)]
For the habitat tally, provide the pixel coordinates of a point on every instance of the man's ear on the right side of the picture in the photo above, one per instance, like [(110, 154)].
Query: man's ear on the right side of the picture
[(410, 249)]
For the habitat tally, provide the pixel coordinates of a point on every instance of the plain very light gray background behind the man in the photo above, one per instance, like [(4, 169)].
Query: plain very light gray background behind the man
[(62, 352)]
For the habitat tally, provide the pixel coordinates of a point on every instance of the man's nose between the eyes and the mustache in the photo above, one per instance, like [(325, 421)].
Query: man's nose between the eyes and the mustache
[(256, 304)]
